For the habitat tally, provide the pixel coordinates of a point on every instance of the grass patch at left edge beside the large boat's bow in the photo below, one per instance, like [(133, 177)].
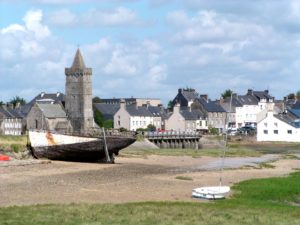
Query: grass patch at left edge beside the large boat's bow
[(13, 143)]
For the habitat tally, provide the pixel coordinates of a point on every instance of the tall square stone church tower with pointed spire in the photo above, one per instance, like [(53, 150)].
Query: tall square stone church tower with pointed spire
[(78, 102)]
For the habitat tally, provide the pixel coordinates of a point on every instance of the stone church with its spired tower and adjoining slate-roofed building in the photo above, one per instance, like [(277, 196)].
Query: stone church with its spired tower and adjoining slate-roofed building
[(73, 114)]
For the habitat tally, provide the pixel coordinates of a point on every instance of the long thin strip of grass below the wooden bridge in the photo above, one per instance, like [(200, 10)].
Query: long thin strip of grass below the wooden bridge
[(231, 152)]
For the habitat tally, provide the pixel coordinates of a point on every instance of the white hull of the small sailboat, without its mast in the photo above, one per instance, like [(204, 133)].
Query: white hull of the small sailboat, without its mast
[(217, 192)]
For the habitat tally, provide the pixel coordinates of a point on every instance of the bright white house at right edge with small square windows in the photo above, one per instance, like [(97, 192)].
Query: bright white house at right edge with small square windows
[(281, 127)]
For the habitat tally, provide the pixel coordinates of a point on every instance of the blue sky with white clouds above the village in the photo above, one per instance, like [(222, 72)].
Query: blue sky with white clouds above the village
[(151, 48)]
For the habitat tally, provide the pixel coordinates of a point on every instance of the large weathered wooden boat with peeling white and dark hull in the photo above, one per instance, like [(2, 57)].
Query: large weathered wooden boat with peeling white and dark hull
[(75, 148)]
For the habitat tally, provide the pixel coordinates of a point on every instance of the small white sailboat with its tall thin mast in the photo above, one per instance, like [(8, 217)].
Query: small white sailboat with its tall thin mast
[(215, 192)]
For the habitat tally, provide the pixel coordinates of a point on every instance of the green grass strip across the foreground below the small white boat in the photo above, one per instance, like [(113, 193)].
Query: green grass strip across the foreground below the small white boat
[(260, 201)]
